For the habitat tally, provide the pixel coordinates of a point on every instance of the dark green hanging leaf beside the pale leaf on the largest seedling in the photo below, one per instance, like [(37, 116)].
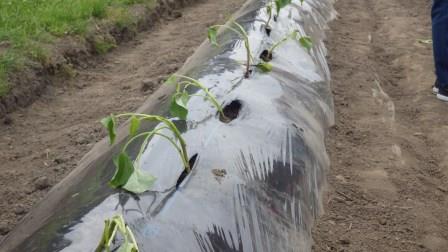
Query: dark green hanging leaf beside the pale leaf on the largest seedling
[(124, 170)]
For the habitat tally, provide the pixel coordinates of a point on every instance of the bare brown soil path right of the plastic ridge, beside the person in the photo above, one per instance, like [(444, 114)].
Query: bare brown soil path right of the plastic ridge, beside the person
[(388, 184)]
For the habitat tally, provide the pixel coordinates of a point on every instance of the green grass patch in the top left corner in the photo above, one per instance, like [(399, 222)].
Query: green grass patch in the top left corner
[(26, 25)]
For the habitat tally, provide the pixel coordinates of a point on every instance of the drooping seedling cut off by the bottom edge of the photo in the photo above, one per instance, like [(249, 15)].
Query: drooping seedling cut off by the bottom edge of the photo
[(111, 227)]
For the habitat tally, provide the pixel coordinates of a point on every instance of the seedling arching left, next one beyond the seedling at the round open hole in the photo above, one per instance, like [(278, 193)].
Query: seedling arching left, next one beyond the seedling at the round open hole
[(238, 29)]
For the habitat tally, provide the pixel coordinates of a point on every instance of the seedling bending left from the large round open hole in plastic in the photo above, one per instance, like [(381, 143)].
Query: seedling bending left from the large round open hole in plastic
[(179, 100)]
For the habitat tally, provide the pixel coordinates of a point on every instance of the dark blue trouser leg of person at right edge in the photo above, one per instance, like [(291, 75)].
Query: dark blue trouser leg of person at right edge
[(440, 41)]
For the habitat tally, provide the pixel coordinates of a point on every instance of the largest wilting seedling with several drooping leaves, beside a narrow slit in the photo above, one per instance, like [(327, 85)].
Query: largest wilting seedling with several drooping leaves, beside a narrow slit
[(129, 176)]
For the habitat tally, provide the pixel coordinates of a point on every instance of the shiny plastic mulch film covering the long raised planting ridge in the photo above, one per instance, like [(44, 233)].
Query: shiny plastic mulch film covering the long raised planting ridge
[(273, 155)]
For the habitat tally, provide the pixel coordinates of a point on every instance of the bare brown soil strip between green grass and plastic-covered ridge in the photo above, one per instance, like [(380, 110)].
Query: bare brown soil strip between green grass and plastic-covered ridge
[(41, 144)]
